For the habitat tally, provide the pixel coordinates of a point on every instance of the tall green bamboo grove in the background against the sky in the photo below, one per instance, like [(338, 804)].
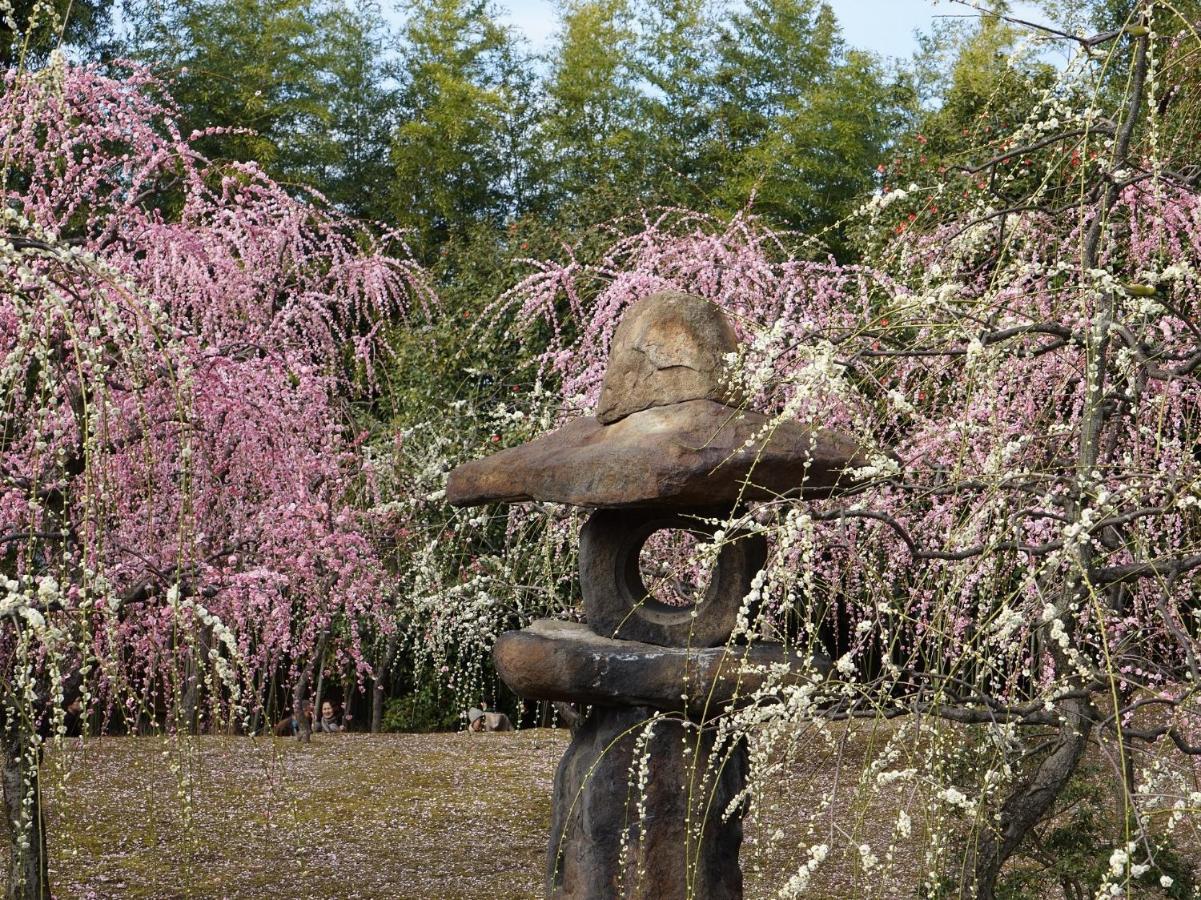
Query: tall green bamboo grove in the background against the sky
[(455, 130)]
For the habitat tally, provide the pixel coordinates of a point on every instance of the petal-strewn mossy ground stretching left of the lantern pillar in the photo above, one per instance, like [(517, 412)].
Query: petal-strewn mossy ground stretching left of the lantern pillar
[(346, 816)]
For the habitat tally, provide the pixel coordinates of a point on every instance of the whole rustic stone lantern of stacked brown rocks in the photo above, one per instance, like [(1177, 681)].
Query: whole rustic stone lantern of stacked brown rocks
[(670, 449)]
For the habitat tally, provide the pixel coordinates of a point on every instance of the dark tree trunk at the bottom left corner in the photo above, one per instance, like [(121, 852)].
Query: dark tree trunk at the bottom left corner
[(29, 863)]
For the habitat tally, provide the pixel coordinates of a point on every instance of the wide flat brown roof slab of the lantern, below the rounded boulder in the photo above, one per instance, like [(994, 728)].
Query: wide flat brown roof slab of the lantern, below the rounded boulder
[(686, 456)]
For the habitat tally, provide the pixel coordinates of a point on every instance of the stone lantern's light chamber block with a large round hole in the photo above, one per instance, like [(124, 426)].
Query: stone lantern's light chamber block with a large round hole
[(618, 604)]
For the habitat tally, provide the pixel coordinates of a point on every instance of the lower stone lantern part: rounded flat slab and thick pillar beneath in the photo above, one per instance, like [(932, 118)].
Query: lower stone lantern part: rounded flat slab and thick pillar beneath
[(634, 816)]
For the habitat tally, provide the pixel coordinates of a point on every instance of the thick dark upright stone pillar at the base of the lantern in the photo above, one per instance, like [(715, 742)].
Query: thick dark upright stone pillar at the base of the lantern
[(596, 812)]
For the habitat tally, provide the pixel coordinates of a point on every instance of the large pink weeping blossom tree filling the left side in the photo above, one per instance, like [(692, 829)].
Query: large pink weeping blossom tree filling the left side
[(178, 461)]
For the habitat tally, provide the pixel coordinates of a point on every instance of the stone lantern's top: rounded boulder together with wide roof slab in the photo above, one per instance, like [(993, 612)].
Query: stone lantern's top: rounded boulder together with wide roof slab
[(668, 433)]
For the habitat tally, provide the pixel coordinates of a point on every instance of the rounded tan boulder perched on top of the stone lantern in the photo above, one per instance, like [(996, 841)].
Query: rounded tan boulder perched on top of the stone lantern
[(668, 349)]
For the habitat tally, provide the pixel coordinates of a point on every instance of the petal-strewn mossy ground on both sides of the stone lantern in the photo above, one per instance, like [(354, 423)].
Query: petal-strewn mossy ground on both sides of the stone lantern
[(422, 816)]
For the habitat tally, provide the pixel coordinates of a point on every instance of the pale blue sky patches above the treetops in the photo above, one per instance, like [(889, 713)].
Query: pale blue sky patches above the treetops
[(886, 27)]
